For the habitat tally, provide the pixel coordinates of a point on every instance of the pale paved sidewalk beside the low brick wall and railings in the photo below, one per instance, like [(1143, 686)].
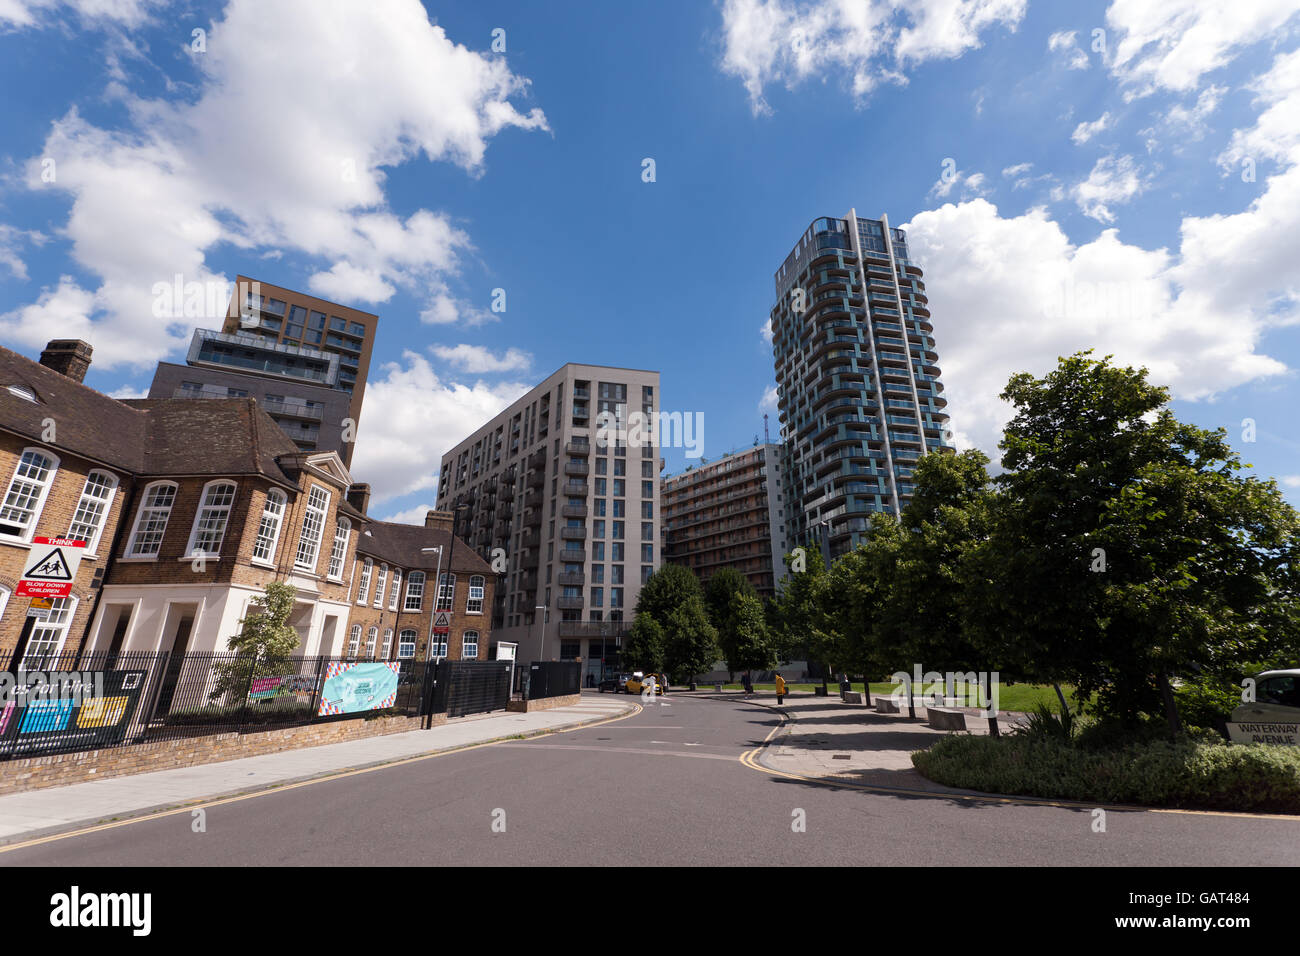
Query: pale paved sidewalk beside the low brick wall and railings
[(24, 816)]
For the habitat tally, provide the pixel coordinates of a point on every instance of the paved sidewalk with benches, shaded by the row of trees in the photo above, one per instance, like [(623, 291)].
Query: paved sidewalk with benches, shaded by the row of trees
[(826, 738)]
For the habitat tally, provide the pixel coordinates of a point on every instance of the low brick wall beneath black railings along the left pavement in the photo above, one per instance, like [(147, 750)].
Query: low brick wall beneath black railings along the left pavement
[(59, 771)]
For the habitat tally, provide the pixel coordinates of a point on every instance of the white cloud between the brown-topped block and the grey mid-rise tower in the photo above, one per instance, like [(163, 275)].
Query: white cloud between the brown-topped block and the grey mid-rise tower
[(413, 417)]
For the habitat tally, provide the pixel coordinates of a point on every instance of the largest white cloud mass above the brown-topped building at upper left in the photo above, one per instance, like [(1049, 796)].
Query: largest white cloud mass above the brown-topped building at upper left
[(302, 107)]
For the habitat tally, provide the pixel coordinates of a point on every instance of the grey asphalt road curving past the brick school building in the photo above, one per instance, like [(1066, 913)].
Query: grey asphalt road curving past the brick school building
[(665, 786)]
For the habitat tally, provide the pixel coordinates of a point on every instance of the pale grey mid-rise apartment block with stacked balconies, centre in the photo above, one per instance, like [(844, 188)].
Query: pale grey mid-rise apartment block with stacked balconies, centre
[(561, 494)]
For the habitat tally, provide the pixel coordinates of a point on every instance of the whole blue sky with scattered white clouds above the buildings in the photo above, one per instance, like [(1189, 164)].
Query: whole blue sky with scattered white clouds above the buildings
[(1120, 176)]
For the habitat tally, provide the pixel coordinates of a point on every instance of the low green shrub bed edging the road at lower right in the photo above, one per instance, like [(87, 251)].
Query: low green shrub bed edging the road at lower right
[(1191, 773)]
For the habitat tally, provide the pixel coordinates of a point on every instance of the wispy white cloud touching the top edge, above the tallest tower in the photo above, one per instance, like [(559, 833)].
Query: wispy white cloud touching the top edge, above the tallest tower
[(870, 41)]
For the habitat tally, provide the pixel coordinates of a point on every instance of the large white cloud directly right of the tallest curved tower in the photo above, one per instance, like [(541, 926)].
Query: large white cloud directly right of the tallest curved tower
[(1015, 295)]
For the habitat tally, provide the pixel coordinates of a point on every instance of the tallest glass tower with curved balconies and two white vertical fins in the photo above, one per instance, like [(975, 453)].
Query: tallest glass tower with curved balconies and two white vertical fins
[(857, 379)]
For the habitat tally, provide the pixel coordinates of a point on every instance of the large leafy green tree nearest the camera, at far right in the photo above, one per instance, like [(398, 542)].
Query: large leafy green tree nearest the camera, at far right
[(1128, 548)]
